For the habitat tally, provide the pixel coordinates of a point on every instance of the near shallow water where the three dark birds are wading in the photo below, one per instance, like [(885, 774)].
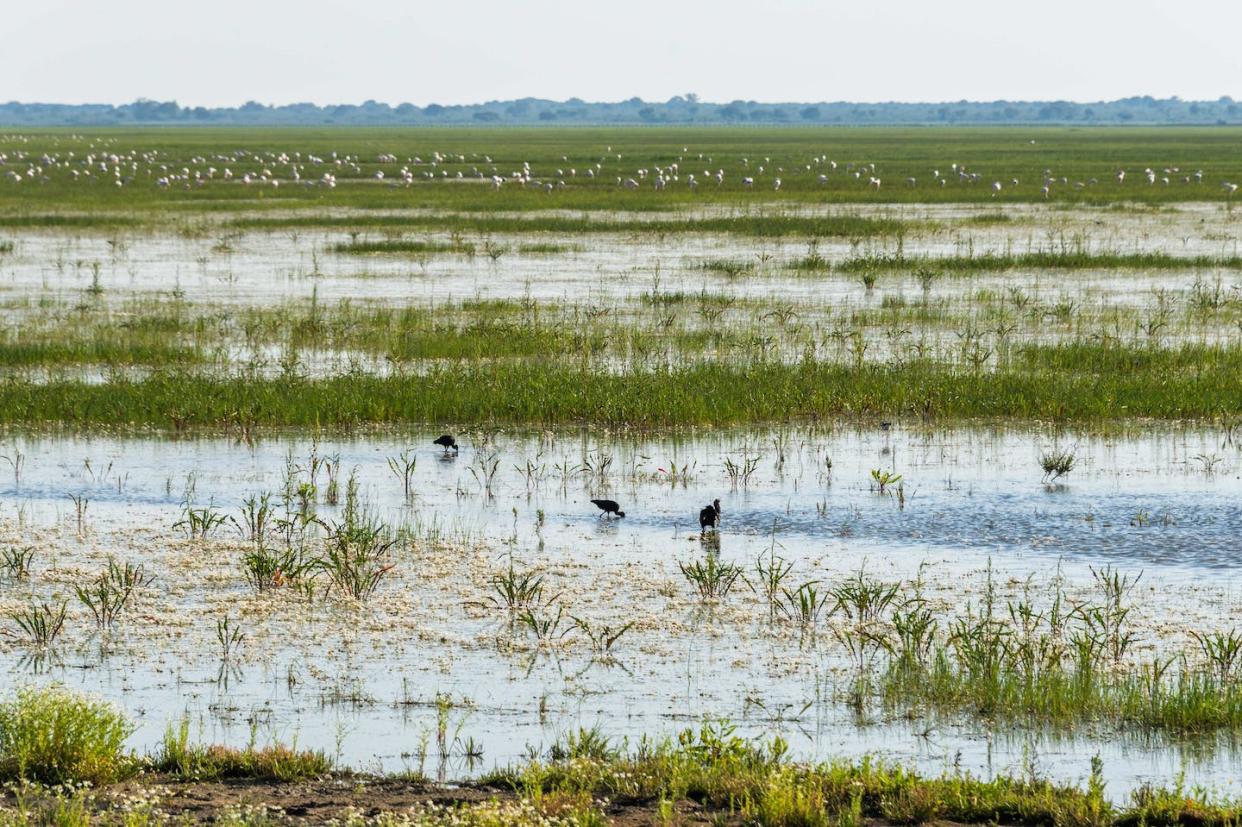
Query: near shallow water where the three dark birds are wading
[(362, 682)]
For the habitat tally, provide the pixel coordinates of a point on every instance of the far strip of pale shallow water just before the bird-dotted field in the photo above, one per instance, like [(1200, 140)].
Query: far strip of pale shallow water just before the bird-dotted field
[(263, 268)]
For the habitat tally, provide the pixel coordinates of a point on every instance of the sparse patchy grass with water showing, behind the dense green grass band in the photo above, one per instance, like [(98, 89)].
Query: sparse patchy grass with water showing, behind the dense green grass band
[(671, 328)]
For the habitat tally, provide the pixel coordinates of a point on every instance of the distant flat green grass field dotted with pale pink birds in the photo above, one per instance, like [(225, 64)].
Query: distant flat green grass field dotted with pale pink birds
[(1090, 158)]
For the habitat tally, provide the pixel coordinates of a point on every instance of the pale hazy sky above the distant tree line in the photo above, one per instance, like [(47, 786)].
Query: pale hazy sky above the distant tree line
[(461, 52)]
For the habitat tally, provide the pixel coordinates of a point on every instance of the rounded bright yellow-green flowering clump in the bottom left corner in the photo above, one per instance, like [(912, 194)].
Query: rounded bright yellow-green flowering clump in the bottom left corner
[(55, 736)]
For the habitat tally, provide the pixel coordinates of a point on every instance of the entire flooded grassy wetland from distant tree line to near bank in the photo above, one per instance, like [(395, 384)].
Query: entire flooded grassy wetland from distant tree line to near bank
[(972, 420)]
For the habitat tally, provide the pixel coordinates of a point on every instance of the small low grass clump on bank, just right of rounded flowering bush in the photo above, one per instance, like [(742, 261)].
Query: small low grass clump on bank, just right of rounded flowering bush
[(191, 762)]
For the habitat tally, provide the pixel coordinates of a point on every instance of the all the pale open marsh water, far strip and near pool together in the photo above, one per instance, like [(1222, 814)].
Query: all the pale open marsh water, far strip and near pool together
[(432, 675)]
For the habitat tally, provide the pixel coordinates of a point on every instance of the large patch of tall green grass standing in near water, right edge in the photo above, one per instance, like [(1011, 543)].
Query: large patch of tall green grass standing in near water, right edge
[(1055, 662)]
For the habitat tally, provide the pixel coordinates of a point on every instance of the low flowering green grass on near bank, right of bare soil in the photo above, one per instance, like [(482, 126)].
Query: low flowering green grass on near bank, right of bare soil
[(758, 783)]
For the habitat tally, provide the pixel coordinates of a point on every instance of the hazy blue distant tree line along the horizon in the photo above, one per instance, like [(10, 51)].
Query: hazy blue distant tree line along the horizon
[(679, 110)]
